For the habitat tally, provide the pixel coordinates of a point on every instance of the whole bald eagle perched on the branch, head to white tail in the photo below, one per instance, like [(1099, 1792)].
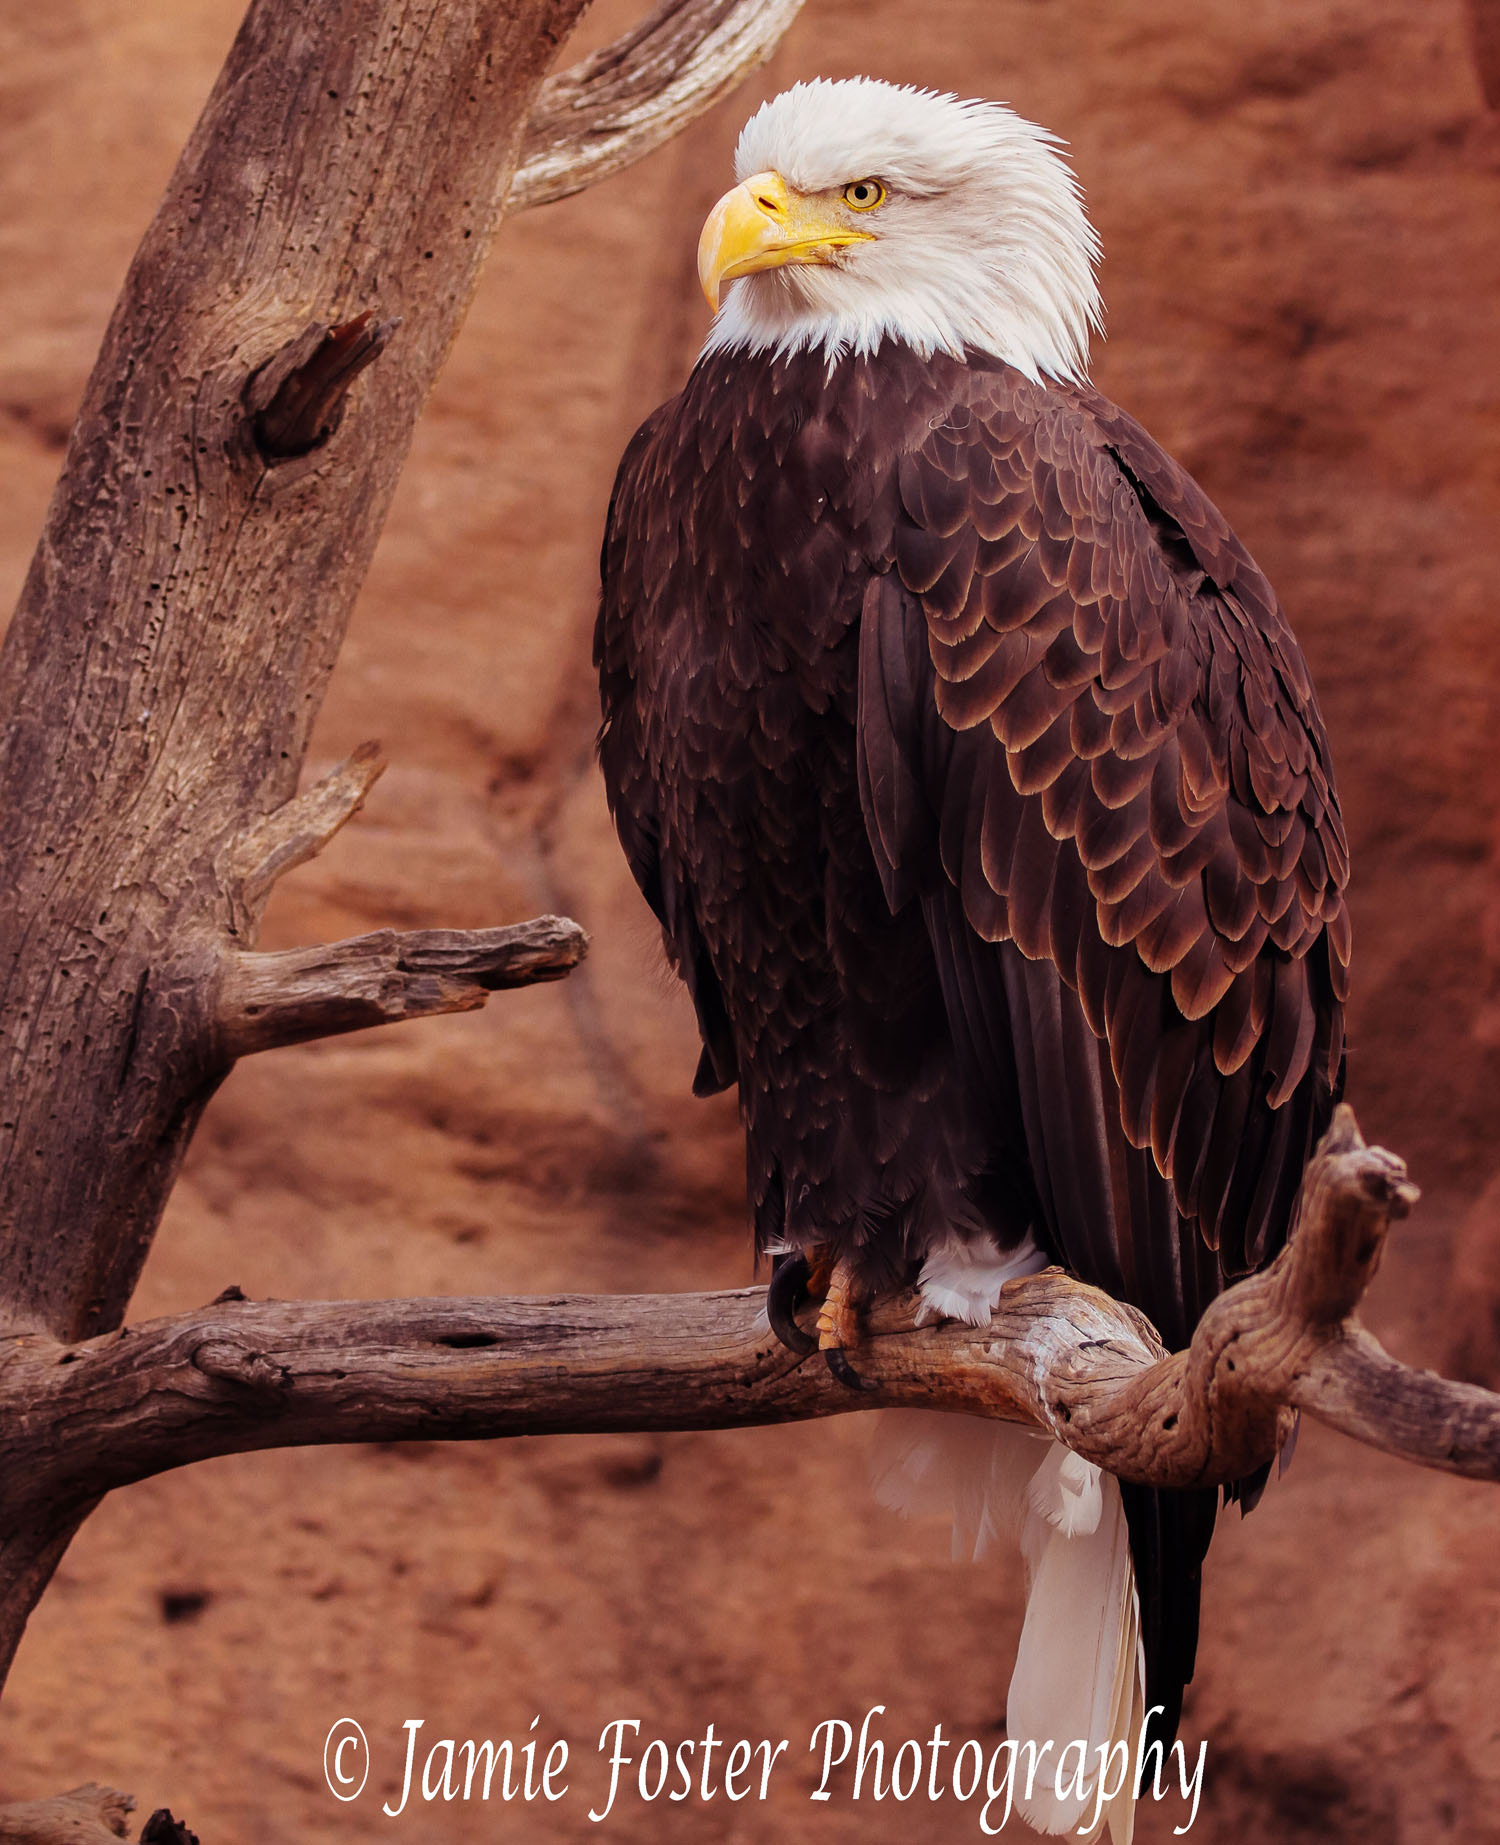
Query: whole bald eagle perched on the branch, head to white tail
[(981, 791)]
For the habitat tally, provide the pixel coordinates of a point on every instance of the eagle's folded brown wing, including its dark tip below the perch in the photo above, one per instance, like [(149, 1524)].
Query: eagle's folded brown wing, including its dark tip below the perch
[(1089, 748)]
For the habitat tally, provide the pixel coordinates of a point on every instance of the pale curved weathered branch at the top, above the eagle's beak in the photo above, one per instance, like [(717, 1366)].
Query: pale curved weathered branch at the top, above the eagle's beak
[(626, 101)]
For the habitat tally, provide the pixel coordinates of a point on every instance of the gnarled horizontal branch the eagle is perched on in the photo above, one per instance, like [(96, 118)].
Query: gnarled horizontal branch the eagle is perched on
[(1058, 1355)]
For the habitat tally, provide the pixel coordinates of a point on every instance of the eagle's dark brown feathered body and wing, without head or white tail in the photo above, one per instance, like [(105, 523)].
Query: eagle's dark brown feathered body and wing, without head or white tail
[(981, 791)]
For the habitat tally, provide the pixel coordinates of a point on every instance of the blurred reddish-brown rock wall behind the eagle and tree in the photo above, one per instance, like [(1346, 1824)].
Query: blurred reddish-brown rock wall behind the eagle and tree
[(1300, 206)]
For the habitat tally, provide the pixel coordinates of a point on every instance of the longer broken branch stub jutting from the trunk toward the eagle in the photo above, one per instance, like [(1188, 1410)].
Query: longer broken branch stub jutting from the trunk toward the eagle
[(383, 979)]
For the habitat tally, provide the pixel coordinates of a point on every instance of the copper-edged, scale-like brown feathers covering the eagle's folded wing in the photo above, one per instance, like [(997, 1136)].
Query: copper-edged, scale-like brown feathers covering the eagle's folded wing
[(1147, 735)]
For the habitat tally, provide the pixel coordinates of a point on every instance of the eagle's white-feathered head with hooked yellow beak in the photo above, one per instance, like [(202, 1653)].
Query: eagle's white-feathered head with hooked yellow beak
[(872, 213)]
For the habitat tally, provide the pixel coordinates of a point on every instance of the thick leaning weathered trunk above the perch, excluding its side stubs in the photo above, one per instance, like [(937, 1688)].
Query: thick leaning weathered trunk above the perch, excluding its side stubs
[(187, 601)]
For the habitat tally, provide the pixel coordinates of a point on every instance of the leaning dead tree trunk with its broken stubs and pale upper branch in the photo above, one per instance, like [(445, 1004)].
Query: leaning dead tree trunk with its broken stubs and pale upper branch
[(220, 499)]
